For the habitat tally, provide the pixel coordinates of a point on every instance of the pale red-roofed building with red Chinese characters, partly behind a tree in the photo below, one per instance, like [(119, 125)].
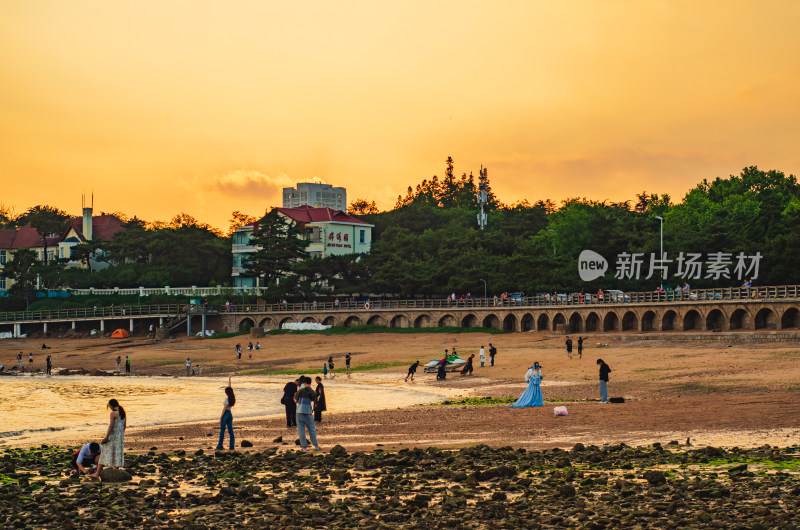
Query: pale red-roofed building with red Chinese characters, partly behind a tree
[(329, 232)]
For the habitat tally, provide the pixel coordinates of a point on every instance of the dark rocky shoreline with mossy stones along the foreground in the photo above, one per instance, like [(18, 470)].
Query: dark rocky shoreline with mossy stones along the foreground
[(670, 486)]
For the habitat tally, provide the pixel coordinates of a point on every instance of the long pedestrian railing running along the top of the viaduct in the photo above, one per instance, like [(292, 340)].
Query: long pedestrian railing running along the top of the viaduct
[(781, 292)]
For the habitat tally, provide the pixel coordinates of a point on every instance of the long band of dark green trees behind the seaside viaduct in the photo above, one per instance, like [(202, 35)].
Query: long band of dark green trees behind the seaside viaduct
[(429, 244)]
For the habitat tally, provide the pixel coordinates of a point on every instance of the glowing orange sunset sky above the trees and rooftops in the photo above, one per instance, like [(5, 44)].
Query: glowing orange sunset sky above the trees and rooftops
[(203, 107)]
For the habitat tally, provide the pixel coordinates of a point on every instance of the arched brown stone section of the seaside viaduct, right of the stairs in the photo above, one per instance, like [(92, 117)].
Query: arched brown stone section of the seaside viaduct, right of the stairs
[(584, 316)]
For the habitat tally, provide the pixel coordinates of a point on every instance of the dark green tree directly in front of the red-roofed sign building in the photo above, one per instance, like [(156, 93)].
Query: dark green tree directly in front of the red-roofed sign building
[(280, 243)]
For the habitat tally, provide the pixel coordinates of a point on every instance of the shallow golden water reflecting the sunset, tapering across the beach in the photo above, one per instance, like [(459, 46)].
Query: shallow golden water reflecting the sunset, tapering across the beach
[(66, 409)]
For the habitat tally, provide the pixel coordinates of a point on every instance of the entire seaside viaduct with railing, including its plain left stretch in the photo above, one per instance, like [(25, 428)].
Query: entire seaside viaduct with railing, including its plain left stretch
[(728, 309)]
